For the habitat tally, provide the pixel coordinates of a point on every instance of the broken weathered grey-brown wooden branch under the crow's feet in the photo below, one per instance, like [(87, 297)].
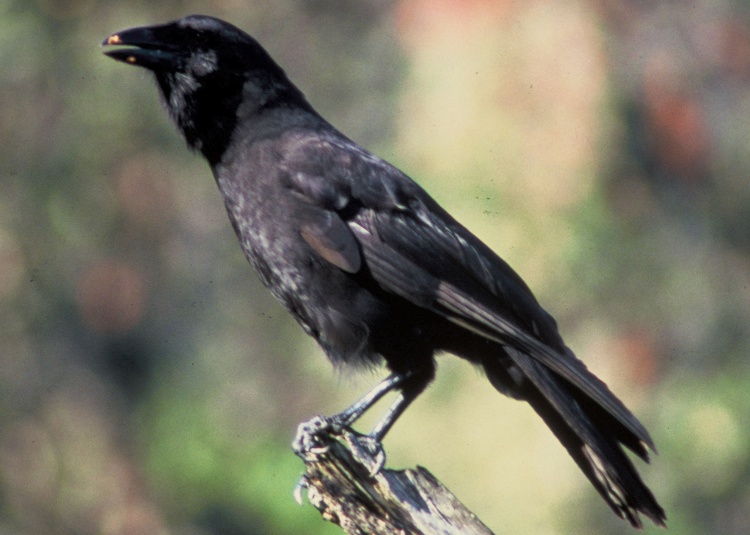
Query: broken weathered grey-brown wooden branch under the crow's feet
[(340, 485)]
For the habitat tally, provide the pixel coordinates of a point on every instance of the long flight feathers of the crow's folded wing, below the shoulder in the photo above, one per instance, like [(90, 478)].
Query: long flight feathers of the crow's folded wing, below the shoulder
[(469, 285)]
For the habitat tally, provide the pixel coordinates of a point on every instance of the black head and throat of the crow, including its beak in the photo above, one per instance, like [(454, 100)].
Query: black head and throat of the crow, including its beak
[(209, 74)]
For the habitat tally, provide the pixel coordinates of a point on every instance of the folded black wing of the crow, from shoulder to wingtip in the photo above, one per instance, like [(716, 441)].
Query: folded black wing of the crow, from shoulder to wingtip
[(416, 250)]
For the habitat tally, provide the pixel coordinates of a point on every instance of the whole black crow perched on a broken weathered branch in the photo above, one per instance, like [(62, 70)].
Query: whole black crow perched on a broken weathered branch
[(366, 261)]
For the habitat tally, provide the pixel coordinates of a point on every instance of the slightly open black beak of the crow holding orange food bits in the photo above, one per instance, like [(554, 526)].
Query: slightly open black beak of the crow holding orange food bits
[(141, 47)]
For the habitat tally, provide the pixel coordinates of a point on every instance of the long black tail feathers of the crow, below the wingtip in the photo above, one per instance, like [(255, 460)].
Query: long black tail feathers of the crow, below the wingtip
[(590, 434)]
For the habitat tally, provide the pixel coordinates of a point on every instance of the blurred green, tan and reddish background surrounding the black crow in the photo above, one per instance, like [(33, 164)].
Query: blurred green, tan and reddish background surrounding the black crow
[(149, 384)]
